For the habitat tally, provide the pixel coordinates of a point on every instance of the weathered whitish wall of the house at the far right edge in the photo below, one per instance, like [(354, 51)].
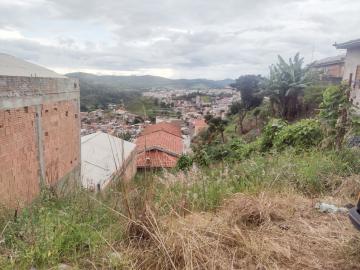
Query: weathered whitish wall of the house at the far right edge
[(351, 62)]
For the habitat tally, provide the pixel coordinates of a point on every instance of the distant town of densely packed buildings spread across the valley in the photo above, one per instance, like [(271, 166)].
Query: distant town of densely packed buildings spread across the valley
[(185, 107)]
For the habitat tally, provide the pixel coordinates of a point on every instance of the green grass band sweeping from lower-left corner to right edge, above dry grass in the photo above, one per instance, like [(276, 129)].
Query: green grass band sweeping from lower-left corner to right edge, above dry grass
[(87, 231)]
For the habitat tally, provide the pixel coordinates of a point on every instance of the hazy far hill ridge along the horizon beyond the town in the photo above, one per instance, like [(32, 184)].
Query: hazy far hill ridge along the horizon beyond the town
[(147, 82)]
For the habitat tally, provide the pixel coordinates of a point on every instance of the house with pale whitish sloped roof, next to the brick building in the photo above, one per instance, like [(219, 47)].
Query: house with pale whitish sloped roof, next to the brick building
[(104, 159)]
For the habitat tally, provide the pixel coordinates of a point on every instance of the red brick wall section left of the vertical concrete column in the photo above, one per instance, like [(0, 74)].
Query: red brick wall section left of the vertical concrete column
[(19, 167)]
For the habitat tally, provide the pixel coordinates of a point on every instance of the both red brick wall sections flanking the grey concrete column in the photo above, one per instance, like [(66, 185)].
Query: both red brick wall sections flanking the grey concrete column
[(19, 164)]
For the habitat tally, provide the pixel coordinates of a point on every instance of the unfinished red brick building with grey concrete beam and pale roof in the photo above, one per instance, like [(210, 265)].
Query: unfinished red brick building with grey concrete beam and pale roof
[(39, 131)]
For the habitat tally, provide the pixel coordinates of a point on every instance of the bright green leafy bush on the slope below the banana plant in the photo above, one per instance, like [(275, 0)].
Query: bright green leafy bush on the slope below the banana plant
[(303, 134)]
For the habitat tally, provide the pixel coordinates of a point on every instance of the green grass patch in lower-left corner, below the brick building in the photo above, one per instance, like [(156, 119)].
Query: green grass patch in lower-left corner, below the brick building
[(76, 229)]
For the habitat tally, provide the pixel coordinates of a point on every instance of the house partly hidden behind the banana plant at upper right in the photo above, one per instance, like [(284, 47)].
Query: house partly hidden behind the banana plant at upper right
[(331, 69)]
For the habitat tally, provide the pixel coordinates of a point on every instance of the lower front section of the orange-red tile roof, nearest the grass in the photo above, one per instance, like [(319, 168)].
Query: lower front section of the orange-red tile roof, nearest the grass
[(156, 159)]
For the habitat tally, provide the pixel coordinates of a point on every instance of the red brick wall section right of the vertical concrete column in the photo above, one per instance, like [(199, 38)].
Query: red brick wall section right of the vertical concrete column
[(61, 129)]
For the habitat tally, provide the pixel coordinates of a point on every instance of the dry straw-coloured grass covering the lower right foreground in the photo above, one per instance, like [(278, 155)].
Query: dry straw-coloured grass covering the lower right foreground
[(265, 231)]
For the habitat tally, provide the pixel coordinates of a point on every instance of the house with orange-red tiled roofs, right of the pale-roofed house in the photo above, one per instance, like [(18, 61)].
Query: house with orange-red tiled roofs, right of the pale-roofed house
[(159, 146)]
